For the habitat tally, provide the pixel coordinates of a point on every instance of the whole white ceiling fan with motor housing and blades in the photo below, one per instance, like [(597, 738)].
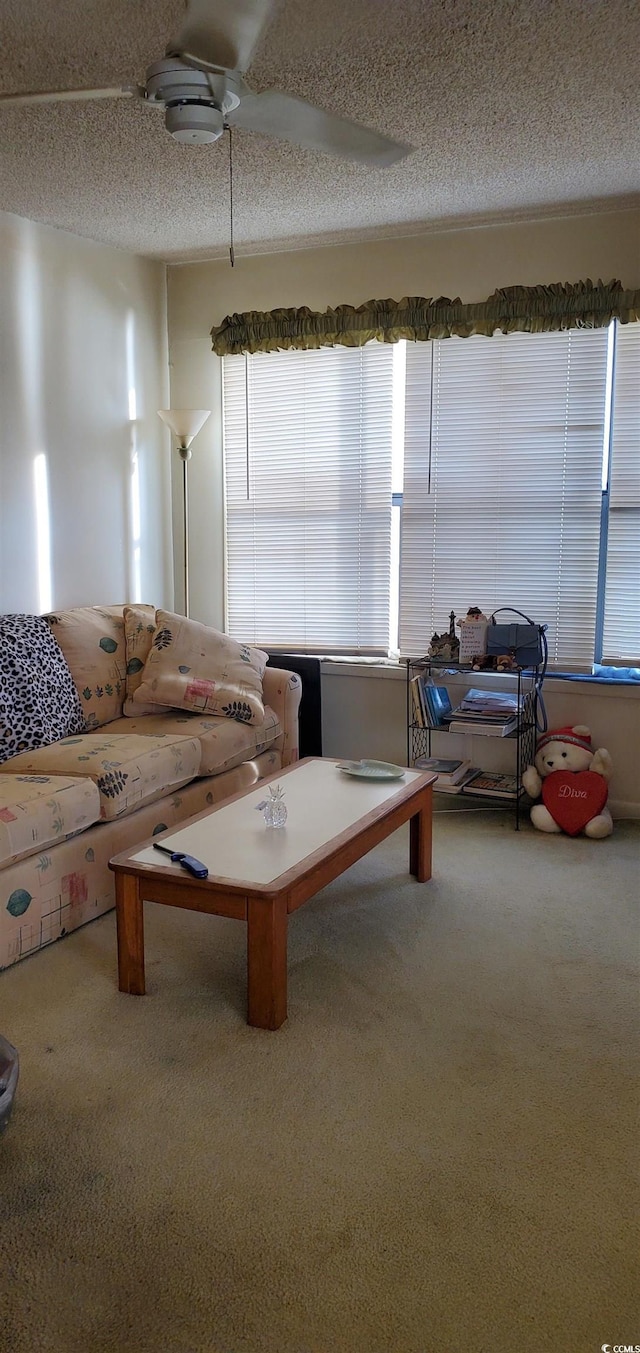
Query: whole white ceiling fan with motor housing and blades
[(202, 90)]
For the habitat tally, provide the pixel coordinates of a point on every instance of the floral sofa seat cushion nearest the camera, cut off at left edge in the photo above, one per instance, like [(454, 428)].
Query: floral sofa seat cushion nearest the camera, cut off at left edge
[(40, 811)]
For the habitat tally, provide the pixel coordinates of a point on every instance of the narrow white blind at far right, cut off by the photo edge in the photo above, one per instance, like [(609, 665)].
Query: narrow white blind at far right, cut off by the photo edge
[(622, 631)]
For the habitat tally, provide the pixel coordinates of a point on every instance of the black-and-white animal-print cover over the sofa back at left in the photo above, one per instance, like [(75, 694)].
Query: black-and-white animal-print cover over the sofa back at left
[(39, 699)]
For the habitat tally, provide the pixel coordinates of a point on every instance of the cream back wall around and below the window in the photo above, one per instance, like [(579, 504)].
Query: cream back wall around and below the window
[(365, 712)]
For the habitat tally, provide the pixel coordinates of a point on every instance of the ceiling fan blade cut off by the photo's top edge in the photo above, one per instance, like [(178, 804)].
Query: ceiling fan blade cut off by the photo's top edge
[(221, 36)]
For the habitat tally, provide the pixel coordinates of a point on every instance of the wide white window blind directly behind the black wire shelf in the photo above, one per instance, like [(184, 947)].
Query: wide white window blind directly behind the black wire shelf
[(504, 484)]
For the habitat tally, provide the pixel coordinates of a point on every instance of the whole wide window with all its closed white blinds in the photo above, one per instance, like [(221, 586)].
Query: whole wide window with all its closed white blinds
[(393, 484)]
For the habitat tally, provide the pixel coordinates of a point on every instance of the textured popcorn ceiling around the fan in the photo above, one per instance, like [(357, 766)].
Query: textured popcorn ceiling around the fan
[(515, 108)]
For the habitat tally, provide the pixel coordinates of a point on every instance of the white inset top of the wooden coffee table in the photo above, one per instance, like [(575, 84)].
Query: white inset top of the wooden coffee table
[(235, 844)]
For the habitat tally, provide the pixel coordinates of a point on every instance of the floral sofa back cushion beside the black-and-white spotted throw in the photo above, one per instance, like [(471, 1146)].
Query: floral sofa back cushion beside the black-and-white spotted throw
[(93, 641)]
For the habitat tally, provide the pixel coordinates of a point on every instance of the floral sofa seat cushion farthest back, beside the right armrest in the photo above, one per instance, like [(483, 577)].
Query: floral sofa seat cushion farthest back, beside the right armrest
[(224, 742)]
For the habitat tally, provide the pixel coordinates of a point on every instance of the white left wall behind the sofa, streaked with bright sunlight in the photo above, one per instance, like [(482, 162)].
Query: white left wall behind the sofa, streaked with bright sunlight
[(83, 340)]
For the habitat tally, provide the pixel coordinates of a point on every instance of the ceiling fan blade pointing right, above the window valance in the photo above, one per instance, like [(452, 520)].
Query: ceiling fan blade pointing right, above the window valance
[(293, 120)]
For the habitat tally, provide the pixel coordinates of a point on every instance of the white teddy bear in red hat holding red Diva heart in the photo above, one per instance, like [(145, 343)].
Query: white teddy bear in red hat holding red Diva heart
[(573, 781)]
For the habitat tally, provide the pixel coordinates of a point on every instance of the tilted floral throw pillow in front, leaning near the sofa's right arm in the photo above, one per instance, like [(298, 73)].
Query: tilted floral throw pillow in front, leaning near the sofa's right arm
[(191, 666)]
